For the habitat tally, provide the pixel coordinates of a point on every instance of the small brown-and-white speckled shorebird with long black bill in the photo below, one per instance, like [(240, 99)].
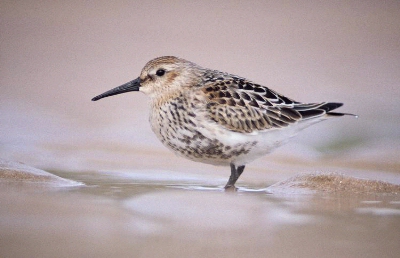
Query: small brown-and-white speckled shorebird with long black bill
[(218, 118)]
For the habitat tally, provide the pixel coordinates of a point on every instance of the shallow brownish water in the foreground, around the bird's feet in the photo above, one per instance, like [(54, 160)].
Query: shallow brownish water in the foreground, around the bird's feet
[(127, 214)]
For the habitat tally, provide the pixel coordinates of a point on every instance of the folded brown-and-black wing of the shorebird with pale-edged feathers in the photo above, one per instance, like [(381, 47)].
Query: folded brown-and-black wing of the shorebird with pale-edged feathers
[(243, 106)]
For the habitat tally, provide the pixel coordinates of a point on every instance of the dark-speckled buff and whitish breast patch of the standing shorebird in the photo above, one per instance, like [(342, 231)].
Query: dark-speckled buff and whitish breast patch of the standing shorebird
[(178, 125)]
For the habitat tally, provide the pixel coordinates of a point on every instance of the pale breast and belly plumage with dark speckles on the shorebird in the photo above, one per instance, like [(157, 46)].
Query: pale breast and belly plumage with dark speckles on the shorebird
[(182, 125)]
